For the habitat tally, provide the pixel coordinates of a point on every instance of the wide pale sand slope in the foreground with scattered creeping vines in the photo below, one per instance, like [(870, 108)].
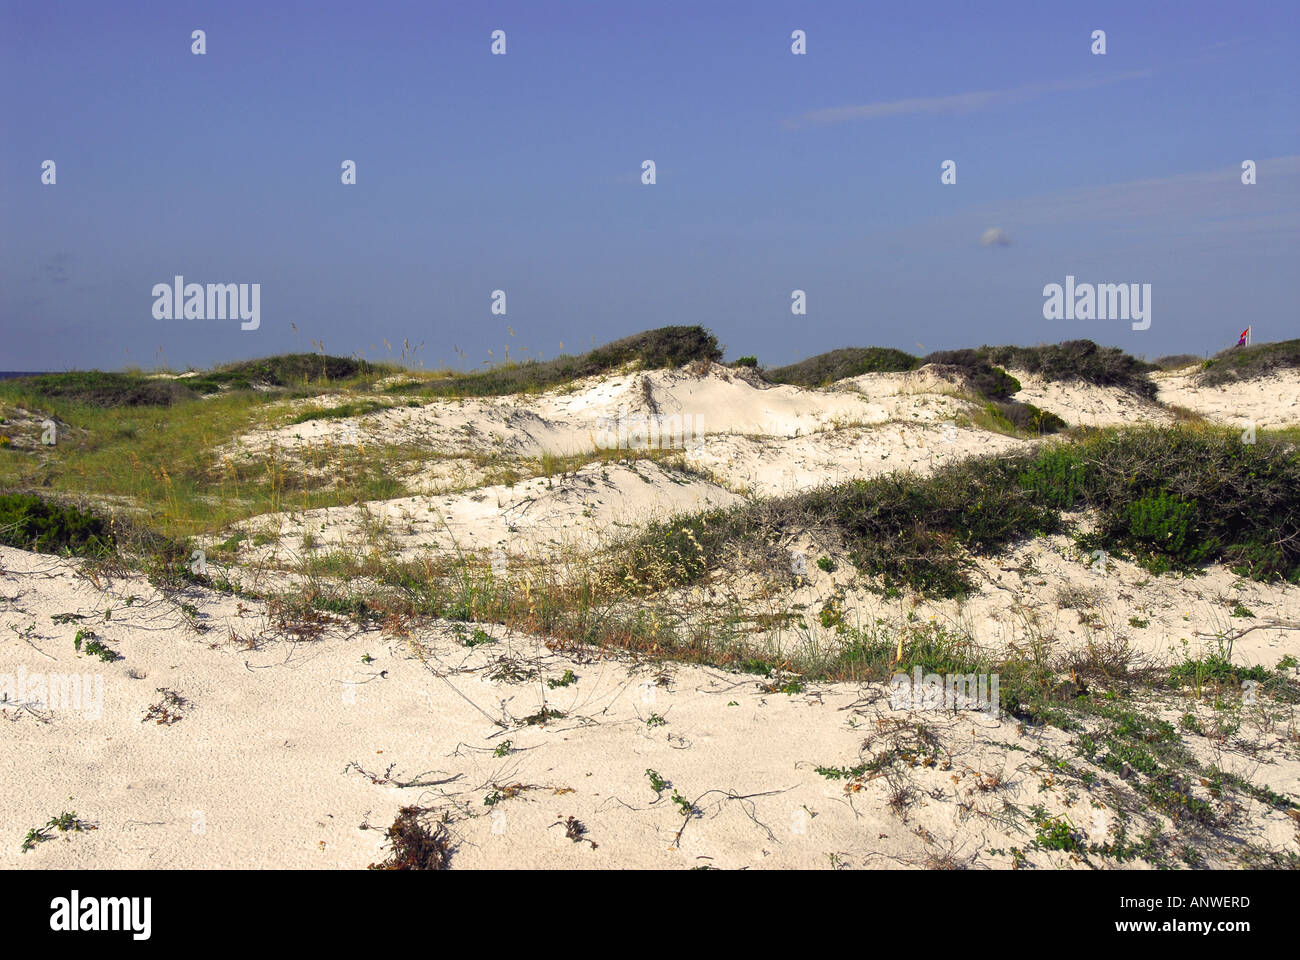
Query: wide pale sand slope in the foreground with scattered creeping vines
[(294, 754)]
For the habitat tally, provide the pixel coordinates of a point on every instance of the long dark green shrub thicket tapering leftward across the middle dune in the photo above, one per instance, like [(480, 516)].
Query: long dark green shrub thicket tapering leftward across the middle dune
[(1173, 499)]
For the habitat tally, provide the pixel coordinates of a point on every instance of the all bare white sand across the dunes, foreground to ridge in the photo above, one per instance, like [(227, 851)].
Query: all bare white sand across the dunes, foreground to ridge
[(296, 743)]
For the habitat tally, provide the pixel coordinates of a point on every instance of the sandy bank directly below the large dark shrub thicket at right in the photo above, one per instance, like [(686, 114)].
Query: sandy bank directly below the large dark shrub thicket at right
[(1047, 589)]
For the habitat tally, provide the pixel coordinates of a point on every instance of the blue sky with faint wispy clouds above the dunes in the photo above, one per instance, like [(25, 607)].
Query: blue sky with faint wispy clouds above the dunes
[(523, 174)]
